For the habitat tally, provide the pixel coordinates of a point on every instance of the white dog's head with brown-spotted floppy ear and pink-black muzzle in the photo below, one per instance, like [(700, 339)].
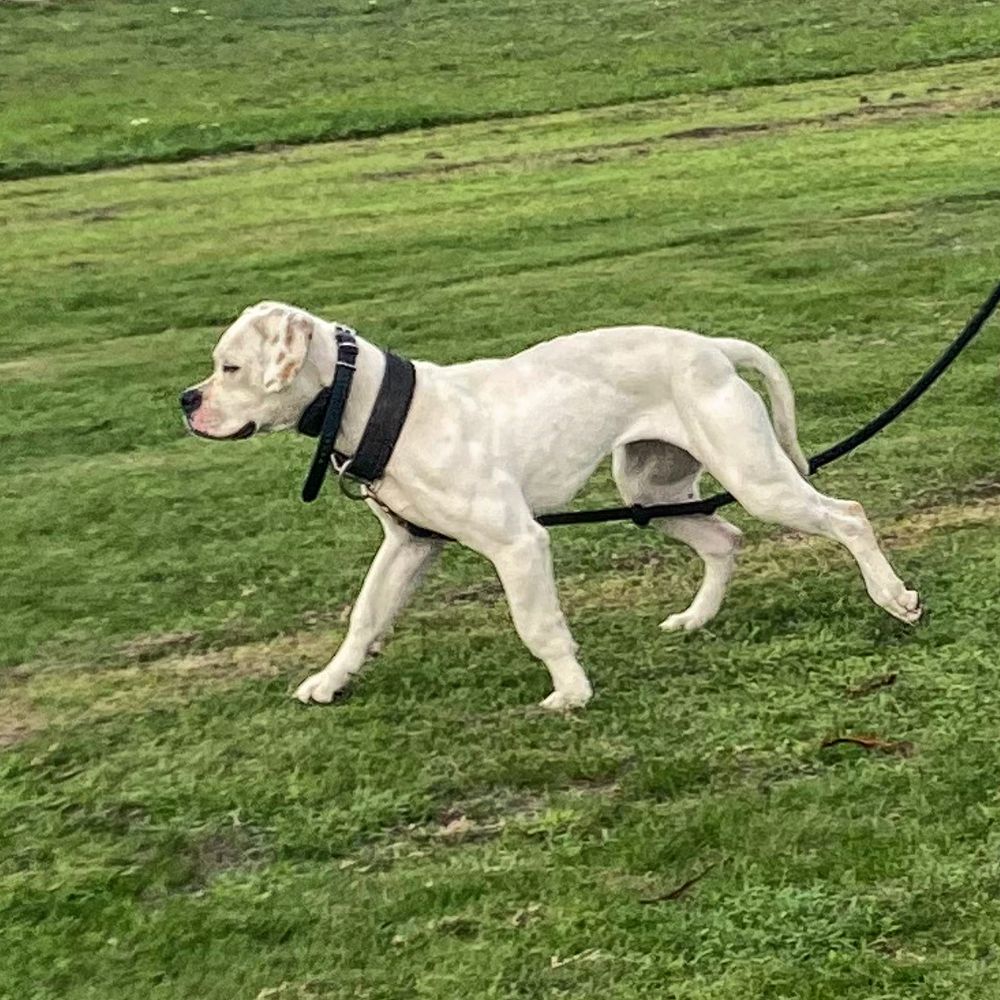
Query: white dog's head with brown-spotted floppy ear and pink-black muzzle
[(262, 378)]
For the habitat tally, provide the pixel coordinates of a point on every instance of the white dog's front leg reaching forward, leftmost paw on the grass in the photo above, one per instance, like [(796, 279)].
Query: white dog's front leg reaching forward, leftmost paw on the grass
[(392, 577)]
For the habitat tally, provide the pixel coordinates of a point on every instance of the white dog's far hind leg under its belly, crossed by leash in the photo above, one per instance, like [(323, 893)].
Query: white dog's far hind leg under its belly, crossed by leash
[(652, 472)]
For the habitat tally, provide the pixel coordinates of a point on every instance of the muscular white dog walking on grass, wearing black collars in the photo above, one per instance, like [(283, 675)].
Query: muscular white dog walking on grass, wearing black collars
[(489, 444)]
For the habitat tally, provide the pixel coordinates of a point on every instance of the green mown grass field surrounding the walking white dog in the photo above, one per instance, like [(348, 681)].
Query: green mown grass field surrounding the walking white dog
[(819, 178)]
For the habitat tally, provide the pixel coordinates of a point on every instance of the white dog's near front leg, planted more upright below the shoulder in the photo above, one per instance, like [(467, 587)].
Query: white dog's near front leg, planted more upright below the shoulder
[(524, 565)]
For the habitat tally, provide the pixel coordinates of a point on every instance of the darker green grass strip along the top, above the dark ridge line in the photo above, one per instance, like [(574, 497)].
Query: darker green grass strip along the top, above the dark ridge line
[(148, 82)]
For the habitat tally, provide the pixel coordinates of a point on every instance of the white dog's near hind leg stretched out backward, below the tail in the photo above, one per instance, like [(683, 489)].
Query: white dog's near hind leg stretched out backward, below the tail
[(728, 428)]
